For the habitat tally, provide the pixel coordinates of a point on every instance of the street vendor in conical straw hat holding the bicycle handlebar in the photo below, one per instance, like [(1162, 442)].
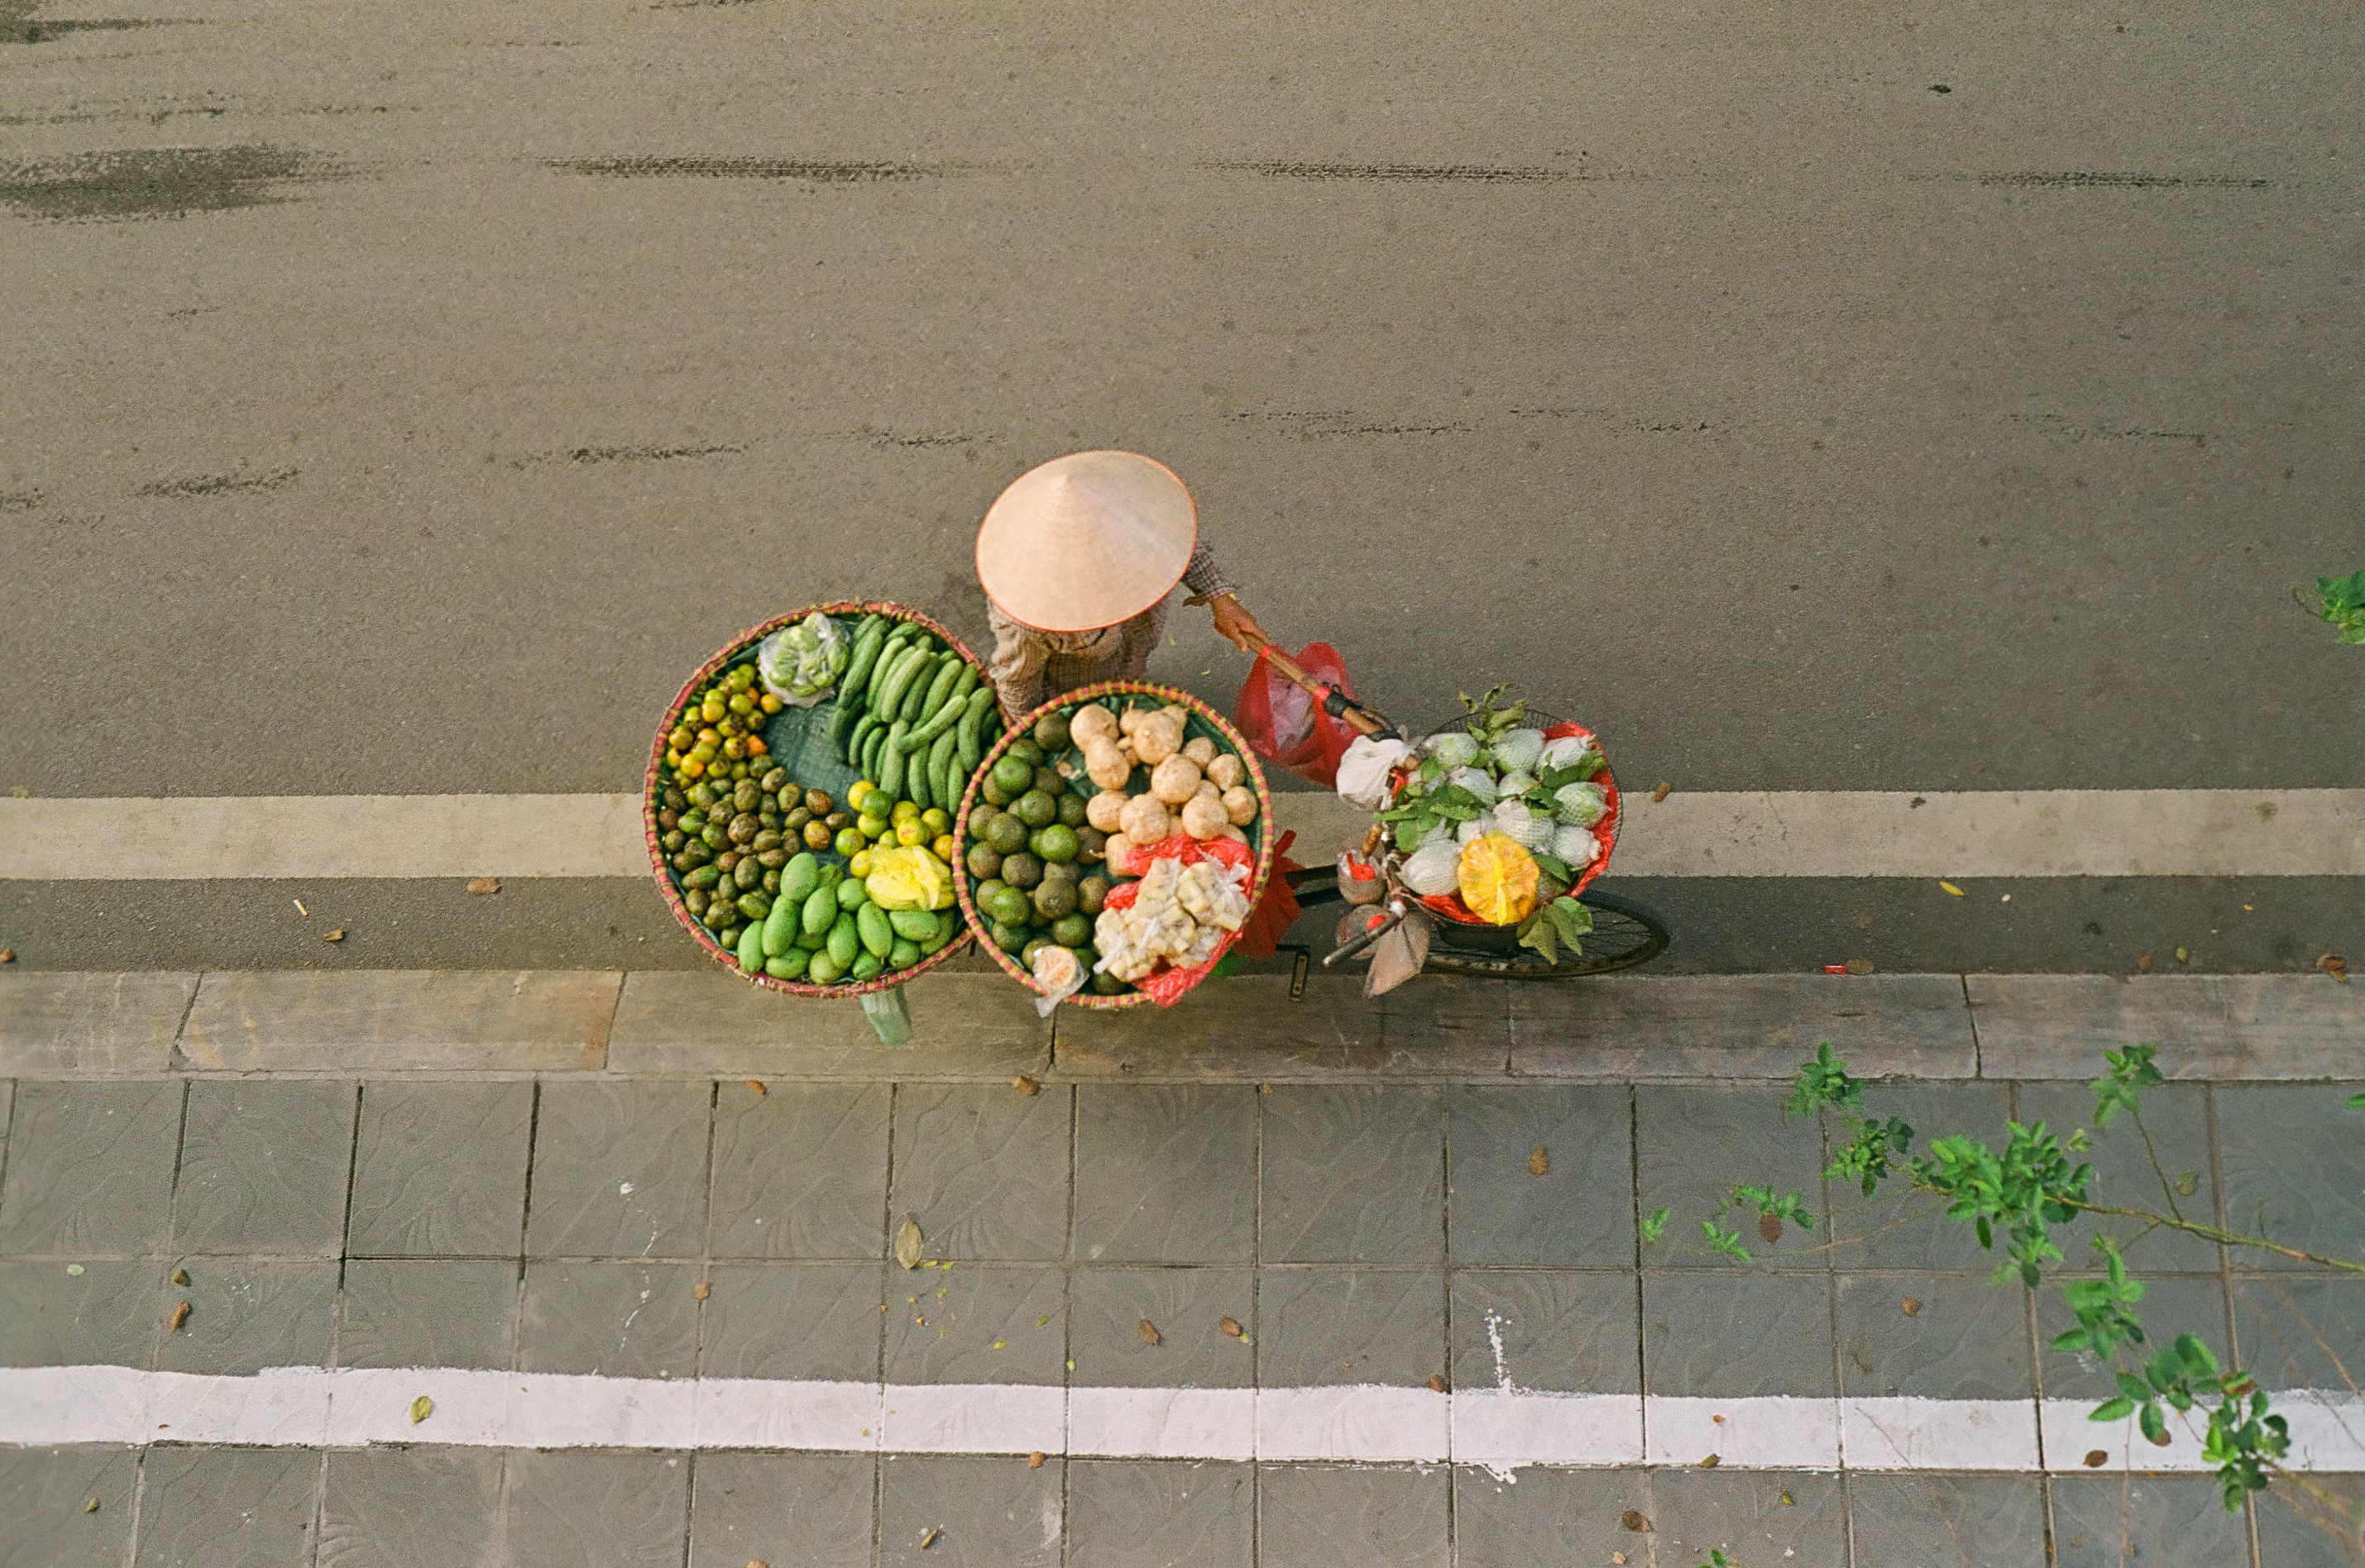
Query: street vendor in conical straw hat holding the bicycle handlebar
[(1080, 562)]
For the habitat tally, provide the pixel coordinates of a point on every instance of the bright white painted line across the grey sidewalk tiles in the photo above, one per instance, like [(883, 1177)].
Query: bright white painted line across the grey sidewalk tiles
[(1373, 1425)]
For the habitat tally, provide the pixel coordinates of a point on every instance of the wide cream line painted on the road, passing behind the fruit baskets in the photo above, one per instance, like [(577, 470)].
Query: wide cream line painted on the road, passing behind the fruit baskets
[(2004, 834)]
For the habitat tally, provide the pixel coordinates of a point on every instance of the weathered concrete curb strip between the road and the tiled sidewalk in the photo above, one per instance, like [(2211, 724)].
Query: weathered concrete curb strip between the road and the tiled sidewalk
[(978, 1028)]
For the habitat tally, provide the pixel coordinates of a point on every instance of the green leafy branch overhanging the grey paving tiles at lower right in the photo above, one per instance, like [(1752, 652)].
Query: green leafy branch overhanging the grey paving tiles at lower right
[(2014, 1200)]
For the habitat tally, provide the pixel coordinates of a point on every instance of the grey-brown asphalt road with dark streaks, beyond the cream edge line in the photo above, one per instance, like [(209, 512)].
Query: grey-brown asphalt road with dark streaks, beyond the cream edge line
[(403, 399)]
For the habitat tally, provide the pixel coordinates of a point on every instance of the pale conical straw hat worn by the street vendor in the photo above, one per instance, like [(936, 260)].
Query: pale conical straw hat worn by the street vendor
[(1087, 540)]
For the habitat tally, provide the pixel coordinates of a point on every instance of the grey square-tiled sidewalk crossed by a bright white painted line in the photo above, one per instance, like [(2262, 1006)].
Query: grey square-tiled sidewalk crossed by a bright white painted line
[(640, 1255)]
